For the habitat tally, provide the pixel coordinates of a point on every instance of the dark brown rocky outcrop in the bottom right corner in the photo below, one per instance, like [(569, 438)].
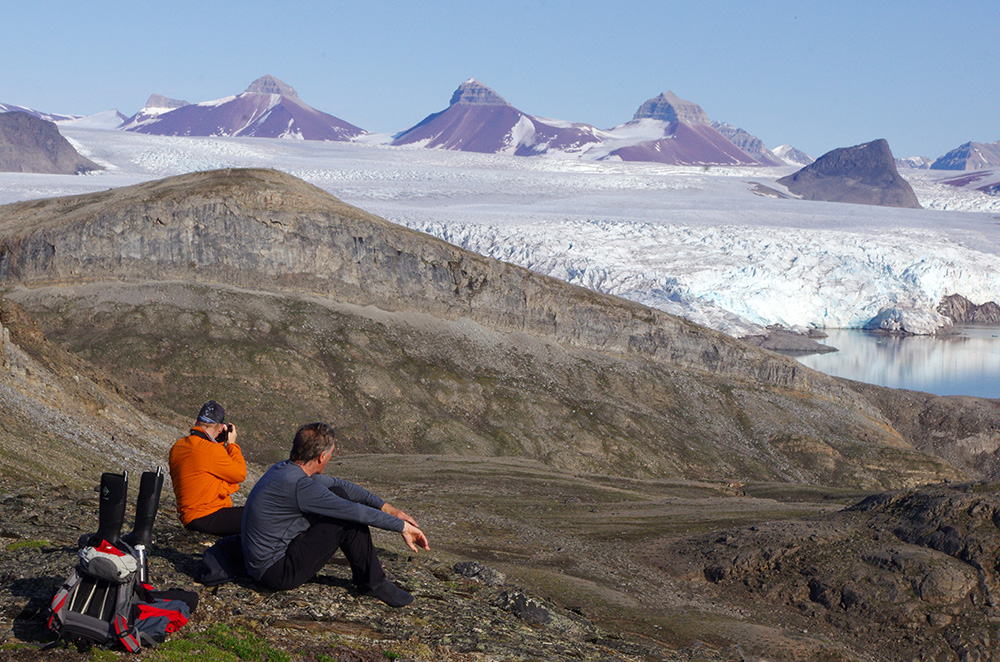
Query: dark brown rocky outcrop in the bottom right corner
[(899, 576)]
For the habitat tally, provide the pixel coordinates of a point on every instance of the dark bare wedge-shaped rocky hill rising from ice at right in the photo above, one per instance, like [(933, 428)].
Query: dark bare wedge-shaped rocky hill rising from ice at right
[(864, 174)]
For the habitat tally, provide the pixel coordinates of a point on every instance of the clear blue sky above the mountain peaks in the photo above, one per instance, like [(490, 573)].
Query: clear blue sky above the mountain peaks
[(817, 75)]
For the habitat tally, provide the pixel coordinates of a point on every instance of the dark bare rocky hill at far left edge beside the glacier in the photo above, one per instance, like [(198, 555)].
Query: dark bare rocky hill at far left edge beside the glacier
[(31, 144)]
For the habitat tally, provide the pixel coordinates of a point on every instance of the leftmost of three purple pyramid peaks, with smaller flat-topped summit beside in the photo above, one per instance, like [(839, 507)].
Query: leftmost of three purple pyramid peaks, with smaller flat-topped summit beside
[(268, 108)]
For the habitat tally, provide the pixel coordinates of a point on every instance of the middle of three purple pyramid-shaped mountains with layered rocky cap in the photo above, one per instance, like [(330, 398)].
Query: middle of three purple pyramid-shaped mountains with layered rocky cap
[(480, 120)]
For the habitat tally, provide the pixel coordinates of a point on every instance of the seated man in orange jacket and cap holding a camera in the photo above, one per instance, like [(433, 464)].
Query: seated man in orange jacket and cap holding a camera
[(206, 468)]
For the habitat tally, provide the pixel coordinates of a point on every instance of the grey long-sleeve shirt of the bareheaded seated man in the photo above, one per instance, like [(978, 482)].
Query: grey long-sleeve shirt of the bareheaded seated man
[(277, 507)]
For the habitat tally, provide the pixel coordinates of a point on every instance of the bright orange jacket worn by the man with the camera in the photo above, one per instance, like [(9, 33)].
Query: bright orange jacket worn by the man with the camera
[(204, 473)]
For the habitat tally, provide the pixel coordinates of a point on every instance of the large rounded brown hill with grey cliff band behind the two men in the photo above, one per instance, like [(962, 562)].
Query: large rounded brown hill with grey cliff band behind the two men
[(260, 290)]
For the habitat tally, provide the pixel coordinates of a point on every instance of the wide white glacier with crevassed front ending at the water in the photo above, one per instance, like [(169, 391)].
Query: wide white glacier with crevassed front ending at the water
[(693, 241)]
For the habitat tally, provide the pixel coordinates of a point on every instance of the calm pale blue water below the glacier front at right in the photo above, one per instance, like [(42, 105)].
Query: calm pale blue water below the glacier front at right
[(965, 364)]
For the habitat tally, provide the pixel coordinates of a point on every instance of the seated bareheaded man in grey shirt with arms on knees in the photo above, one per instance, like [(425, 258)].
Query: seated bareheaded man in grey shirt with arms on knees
[(296, 518)]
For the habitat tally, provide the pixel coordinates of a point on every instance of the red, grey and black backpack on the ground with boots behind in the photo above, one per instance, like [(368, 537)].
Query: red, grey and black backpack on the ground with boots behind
[(103, 603)]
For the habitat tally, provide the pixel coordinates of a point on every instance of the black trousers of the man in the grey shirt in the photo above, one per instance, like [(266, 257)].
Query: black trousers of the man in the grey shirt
[(310, 550)]
